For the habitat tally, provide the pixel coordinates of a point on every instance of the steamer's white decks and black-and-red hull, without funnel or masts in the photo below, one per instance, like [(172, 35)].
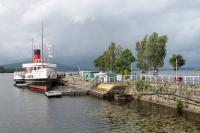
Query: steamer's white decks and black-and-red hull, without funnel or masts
[(37, 77)]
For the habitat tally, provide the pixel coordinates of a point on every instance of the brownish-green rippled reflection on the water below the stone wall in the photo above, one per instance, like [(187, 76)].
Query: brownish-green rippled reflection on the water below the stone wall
[(143, 117)]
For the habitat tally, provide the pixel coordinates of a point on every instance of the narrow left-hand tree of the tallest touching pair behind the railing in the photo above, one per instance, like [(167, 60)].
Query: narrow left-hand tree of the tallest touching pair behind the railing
[(142, 63)]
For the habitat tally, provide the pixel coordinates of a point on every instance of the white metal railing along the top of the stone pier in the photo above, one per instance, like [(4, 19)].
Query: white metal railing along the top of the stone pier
[(159, 78)]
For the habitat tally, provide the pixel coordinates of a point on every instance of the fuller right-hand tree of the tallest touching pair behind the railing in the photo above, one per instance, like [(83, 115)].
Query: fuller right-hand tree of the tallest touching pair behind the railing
[(156, 51)]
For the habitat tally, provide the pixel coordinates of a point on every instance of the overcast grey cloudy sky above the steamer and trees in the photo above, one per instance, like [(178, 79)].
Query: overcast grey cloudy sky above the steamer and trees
[(82, 29)]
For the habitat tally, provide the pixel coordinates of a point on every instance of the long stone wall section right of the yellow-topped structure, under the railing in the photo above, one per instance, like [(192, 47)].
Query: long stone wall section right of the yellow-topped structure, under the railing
[(184, 96)]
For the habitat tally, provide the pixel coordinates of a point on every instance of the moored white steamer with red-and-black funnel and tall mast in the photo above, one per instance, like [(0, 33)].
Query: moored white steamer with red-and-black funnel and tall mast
[(38, 75)]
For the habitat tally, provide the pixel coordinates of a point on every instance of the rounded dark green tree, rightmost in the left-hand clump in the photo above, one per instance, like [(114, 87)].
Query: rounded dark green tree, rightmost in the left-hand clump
[(124, 62)]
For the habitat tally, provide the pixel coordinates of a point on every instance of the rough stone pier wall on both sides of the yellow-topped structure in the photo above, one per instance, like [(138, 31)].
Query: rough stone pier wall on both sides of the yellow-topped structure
[(174, 95)]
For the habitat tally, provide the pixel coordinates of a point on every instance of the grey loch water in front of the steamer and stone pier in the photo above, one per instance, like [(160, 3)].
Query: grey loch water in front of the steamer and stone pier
[(26, 111)]
